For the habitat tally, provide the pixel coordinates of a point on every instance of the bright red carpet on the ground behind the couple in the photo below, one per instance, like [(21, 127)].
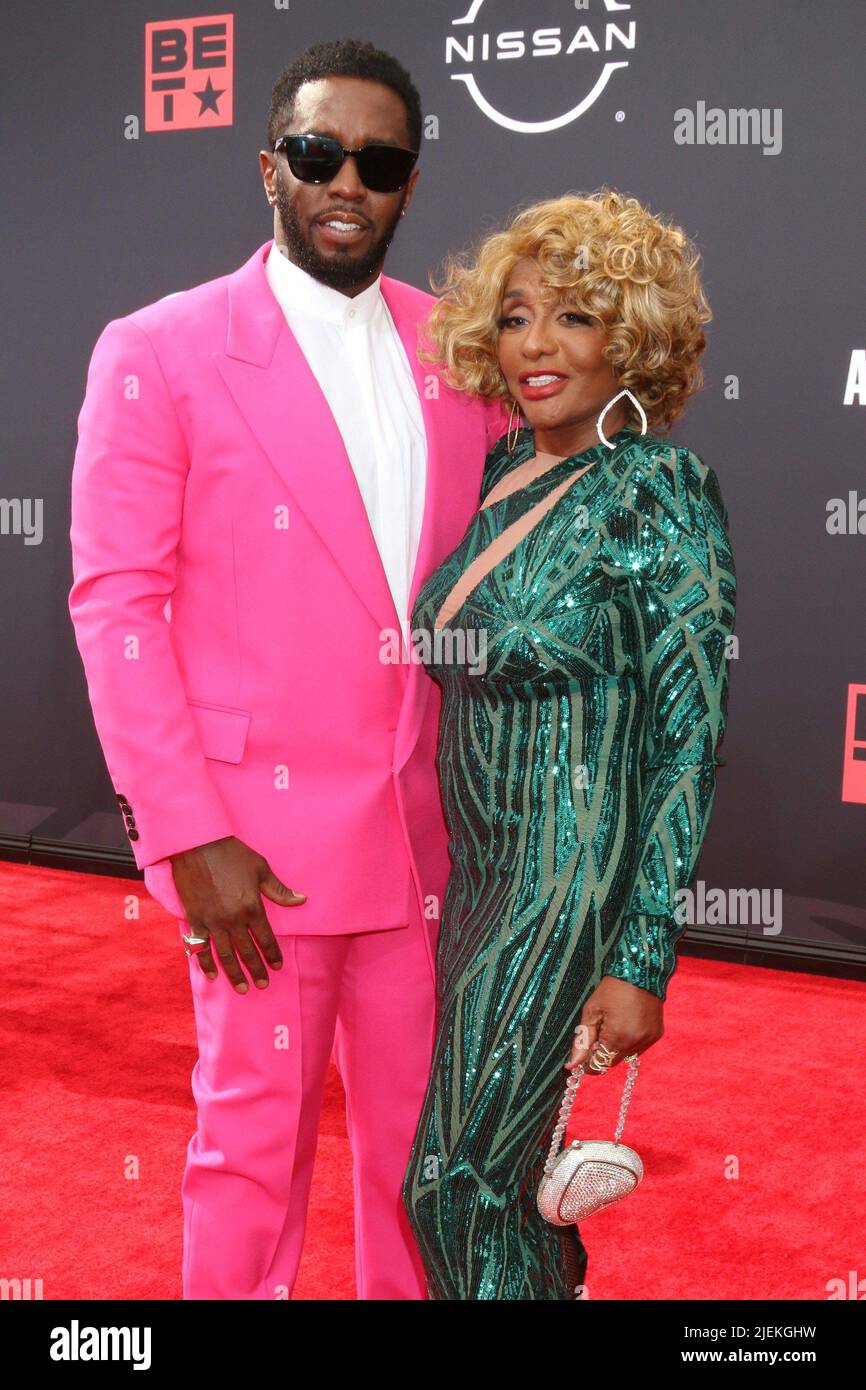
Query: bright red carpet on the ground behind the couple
[(758, 1074)]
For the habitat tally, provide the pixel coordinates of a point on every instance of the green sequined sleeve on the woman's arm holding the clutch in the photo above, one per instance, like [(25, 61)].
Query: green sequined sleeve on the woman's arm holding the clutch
[(685, 605)]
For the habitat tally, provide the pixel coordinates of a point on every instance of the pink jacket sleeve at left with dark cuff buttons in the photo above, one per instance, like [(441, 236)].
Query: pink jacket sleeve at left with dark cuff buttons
[(127, 500)]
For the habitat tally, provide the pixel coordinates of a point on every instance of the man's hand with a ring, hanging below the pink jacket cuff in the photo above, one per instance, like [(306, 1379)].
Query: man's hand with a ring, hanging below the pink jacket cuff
[(220, 886)]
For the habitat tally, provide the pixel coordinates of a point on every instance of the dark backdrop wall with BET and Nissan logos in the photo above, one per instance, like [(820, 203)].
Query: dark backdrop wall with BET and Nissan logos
[(105, 215)]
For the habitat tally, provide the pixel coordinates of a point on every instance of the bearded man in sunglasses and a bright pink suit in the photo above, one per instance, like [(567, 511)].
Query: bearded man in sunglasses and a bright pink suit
[(265, 477)]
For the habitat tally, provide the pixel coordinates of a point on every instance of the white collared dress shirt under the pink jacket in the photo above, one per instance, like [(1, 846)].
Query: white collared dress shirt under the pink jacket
[(361, 363)]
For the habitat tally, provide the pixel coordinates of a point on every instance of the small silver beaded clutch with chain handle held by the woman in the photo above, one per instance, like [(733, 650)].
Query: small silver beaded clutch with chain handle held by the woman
[(590, 1174)]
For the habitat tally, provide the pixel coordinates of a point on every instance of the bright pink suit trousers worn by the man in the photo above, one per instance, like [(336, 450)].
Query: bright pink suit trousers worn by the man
[(259, 1084)]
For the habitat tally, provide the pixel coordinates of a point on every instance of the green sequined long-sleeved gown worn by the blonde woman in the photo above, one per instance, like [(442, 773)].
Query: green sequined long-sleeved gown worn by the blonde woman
[(578, 762)]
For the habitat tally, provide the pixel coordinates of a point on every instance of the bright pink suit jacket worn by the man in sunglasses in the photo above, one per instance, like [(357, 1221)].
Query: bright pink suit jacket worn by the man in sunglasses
[(230, 604)]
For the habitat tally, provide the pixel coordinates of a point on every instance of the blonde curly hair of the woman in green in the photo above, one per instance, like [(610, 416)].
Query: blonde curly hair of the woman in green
[(632, 273)]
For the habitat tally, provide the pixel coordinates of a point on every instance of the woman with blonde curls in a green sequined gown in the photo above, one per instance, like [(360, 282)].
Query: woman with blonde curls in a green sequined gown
[(578, 758)]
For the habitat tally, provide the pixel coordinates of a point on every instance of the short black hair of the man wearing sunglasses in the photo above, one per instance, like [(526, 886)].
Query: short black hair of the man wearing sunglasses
[(344, 59)]
